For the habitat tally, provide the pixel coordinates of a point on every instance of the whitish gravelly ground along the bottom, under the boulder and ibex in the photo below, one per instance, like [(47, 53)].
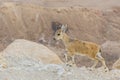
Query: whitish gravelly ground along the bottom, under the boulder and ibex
[(56, 72)]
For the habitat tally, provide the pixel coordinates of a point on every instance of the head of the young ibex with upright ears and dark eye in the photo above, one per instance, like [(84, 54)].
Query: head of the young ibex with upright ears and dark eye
[(59, 33)]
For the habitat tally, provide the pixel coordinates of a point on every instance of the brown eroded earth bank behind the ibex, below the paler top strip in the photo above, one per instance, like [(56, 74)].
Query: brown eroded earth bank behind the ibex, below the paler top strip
[(33, 22)]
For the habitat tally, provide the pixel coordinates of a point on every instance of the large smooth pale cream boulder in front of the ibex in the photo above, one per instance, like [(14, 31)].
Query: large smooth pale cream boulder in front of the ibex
[(20, 50)]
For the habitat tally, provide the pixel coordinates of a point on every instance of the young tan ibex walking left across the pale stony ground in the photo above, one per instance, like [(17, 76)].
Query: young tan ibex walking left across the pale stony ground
[(78, 47)]
